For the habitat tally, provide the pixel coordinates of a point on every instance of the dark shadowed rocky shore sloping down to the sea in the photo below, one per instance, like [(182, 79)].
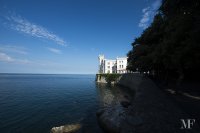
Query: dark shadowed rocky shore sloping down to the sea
[(150, 111)]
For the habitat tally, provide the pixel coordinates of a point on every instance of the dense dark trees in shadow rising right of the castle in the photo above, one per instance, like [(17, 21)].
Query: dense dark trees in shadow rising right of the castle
[(170, 47)]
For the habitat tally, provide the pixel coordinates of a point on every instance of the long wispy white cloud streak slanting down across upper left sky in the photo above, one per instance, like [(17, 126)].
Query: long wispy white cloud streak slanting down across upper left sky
[(22, 25)]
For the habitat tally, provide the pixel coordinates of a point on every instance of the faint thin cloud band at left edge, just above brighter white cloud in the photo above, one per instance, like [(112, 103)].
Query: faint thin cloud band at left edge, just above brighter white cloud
[(15, 49)]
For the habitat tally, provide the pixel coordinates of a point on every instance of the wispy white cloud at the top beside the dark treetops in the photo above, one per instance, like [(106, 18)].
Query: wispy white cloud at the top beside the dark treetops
[(148, 14)]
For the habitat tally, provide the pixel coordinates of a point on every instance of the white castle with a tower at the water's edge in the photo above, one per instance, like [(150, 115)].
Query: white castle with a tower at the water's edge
[(112, 66)]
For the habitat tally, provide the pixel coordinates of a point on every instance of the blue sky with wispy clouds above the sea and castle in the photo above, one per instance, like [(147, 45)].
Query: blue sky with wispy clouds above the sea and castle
[(66, 36)]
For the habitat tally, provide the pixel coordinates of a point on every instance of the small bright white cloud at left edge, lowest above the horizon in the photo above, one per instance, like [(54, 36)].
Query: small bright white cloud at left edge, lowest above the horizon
[(6, 58)]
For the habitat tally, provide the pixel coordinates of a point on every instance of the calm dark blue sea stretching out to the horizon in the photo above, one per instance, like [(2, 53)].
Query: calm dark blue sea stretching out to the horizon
[(33, 103)]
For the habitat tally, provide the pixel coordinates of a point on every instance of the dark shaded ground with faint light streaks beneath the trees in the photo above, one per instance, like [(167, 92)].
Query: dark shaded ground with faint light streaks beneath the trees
[(187, 98)]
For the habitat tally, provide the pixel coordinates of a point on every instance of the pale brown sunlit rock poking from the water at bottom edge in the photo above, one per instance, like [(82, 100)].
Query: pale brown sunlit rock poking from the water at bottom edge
[(66, 128)]
